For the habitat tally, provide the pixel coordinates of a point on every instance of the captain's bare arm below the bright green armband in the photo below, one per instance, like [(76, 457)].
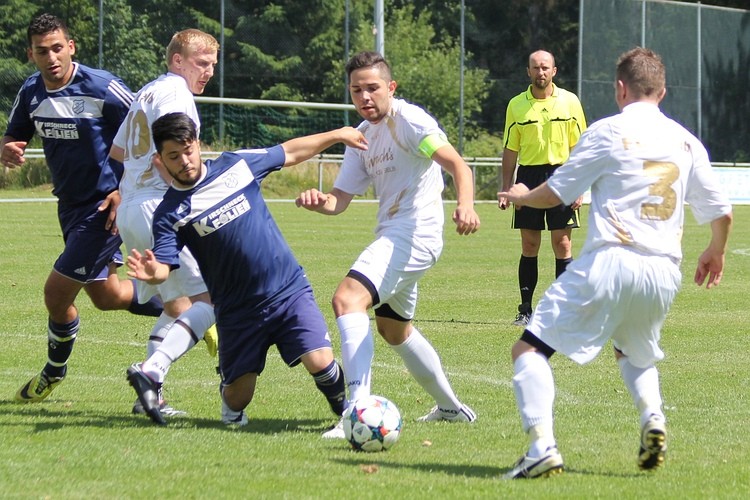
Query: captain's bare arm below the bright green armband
[(465, 217)]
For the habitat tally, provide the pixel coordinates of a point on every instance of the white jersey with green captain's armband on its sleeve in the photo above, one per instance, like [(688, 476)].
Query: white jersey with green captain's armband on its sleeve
[(408, 184)]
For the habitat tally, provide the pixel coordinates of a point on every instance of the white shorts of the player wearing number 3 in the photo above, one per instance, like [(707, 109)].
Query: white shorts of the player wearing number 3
[(614, 292)]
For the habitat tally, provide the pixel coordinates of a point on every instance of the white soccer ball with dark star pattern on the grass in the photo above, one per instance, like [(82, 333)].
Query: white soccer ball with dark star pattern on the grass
[(372, 423)]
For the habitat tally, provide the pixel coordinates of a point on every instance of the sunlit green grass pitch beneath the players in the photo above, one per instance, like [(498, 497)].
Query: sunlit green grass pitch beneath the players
[(83, 441)]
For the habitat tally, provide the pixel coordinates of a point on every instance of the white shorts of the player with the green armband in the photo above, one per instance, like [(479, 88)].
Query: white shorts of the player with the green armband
[(394, 265)]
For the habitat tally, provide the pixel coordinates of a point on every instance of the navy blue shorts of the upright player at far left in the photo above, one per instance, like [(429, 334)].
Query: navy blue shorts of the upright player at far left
[(89, 247)]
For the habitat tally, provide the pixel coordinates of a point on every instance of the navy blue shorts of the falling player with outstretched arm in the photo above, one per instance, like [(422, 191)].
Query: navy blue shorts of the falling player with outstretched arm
[(295, 325)]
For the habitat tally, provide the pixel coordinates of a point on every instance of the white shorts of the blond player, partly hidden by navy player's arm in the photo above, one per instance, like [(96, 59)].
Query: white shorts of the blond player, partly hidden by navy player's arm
[(134, 220)]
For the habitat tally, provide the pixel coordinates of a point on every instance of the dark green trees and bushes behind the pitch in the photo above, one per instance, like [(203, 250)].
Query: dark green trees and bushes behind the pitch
[(296, 50)]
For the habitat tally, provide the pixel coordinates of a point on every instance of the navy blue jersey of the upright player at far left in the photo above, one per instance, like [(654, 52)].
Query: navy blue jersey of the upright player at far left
[(77, 124)]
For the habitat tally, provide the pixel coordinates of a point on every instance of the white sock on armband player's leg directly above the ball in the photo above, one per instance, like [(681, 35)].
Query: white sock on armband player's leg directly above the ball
[(357, 350)]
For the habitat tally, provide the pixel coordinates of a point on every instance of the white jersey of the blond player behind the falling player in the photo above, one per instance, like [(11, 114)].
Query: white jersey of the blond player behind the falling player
[(167, 94)]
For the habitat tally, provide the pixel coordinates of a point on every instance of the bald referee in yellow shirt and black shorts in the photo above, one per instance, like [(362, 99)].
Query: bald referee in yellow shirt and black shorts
[(542, 124)]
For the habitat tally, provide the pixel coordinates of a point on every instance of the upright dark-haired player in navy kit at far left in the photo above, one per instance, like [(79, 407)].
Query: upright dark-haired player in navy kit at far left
[(76, 112)]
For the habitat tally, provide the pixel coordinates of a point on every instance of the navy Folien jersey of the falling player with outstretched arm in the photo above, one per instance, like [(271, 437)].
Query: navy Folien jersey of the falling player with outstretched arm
[(224, 221)]
